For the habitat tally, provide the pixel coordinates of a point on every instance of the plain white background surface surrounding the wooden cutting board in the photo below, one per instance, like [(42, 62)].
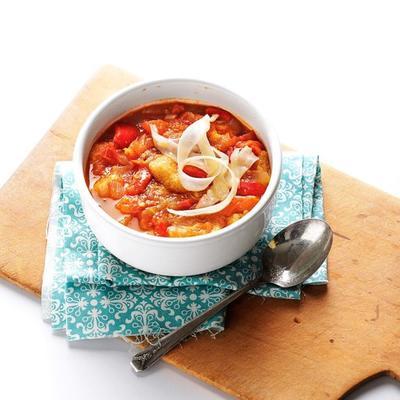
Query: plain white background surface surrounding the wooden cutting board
[(326, 74)]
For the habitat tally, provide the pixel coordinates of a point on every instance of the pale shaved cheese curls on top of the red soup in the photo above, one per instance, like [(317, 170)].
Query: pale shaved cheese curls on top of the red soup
[(223, 175)]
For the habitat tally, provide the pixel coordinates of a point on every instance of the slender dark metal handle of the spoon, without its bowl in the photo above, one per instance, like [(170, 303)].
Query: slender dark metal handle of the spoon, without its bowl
[(153, 353)]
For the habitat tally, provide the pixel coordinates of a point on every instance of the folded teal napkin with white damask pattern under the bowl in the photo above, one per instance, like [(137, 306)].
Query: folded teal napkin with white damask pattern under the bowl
[(89, 293)]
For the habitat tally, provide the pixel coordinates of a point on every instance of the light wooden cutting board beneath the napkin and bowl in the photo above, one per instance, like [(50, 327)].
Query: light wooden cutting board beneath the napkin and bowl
[(321, 347)]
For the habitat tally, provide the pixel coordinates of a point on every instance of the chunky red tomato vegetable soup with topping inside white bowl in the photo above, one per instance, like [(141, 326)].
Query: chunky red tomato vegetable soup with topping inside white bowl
[(178, 169)]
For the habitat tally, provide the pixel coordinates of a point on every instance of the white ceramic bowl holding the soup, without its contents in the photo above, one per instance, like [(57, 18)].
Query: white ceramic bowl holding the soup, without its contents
[(175, 256)]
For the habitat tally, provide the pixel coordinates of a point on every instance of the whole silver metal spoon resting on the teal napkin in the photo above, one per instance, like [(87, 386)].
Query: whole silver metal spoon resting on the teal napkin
[(291, 257)]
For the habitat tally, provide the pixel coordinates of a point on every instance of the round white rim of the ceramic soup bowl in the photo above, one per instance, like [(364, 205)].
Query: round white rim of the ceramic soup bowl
[(274, 154)]
